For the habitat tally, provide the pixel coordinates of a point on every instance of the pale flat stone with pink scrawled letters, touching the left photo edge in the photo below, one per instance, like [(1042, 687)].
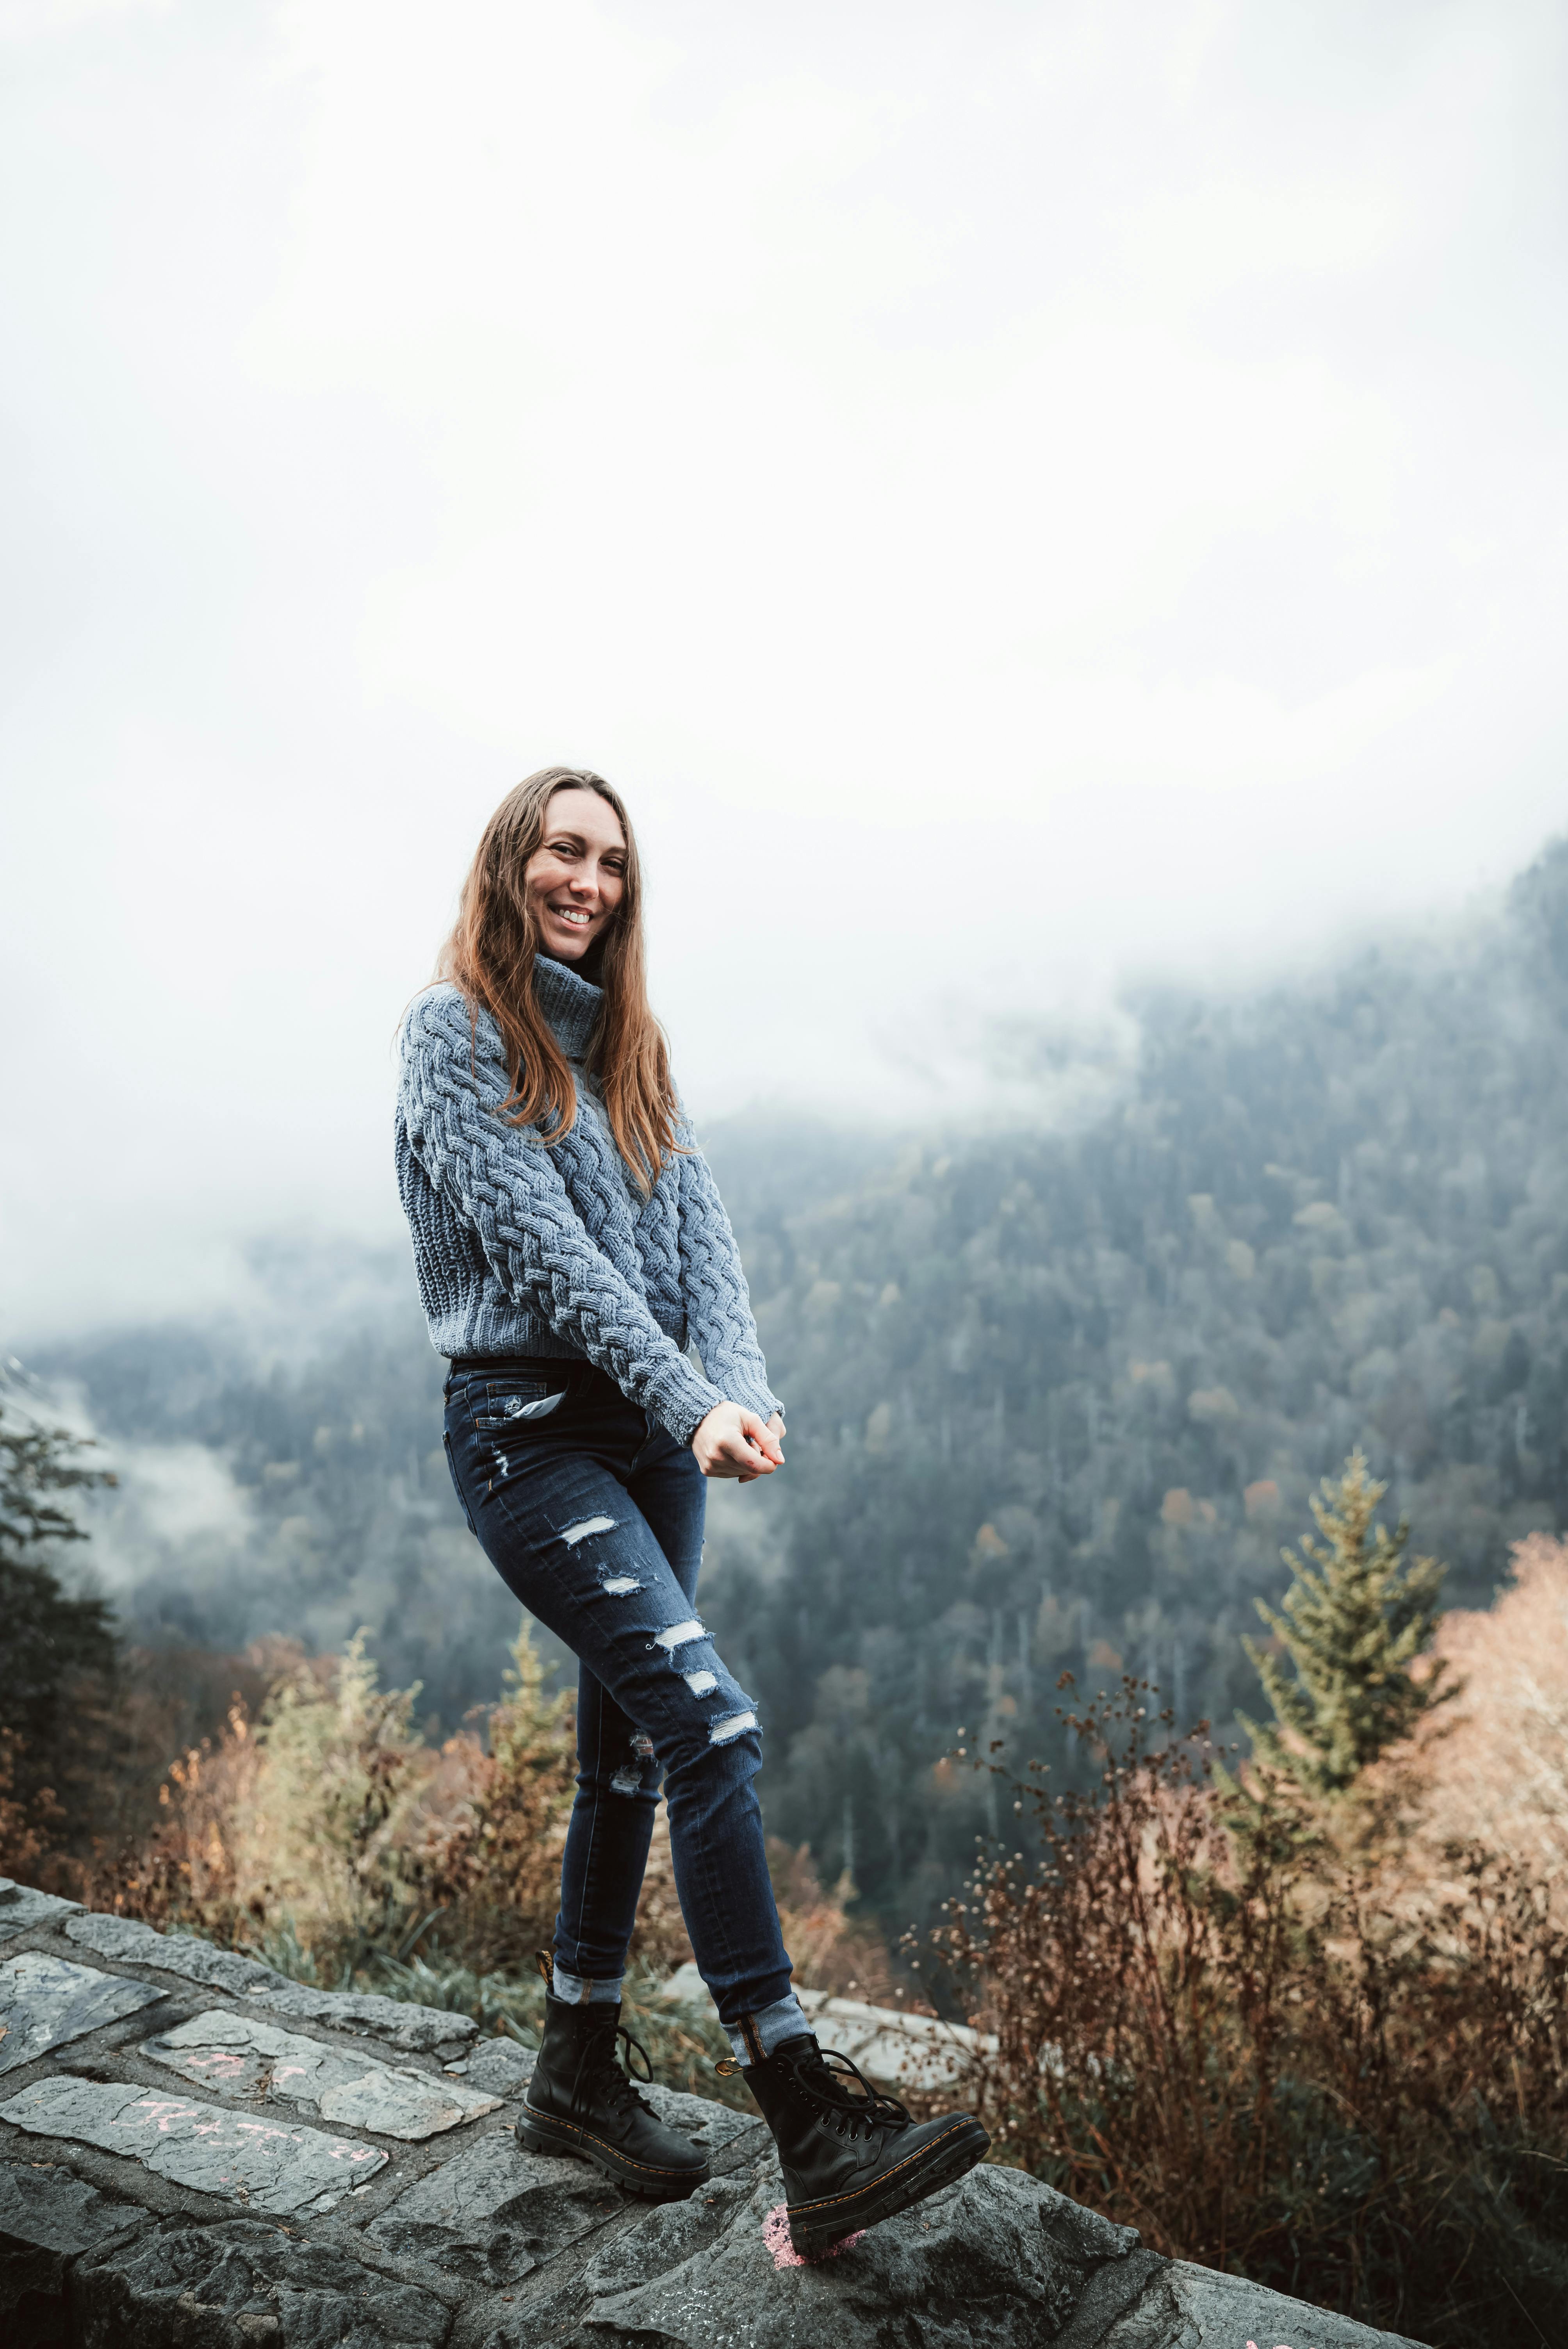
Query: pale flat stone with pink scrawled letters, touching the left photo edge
[(243, 2158)]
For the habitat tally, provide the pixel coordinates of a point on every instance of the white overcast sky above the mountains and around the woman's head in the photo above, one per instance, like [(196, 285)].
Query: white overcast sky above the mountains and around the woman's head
[(1013, 492)]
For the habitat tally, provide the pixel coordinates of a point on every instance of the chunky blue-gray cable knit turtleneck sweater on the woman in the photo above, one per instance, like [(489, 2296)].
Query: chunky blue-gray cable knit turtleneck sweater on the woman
[(555, 1251)]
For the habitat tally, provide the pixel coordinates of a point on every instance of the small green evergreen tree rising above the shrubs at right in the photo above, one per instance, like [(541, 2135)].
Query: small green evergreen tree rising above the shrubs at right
[(1353, 1624)]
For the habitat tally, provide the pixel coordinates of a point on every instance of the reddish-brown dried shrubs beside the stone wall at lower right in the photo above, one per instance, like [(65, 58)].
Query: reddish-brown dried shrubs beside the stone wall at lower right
[(1215, 2024)]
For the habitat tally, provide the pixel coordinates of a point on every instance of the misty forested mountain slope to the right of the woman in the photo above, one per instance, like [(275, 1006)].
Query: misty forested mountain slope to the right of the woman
[(1055, 1404)]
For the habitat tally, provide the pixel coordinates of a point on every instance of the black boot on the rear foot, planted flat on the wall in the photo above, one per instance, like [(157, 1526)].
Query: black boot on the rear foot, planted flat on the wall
[(583, 2104)]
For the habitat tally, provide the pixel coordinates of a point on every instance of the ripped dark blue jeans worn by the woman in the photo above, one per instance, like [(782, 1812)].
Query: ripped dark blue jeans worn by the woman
[(593, 1516)]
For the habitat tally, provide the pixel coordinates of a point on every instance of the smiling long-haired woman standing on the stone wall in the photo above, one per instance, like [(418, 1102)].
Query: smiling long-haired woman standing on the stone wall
[(572, 1244)]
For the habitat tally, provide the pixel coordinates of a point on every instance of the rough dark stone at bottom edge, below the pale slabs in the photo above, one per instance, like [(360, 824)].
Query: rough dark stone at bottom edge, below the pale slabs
[(248, 2284)]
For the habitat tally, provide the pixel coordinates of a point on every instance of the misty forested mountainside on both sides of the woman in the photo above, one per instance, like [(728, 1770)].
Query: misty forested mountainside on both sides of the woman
[(1053, 1401)]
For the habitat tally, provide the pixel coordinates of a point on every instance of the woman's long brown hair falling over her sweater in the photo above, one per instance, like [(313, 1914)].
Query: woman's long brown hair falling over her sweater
[(492, 960)]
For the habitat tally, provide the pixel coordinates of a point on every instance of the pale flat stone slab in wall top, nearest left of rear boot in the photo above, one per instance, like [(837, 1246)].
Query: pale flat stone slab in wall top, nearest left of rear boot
[(262, 2061)]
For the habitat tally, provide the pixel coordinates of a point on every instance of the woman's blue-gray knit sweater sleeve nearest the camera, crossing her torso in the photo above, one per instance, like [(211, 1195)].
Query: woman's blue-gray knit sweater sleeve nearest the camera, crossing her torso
[(508, 1187)]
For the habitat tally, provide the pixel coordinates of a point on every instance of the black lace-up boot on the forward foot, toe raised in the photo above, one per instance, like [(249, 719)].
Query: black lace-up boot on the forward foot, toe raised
[(849, 2153)]
